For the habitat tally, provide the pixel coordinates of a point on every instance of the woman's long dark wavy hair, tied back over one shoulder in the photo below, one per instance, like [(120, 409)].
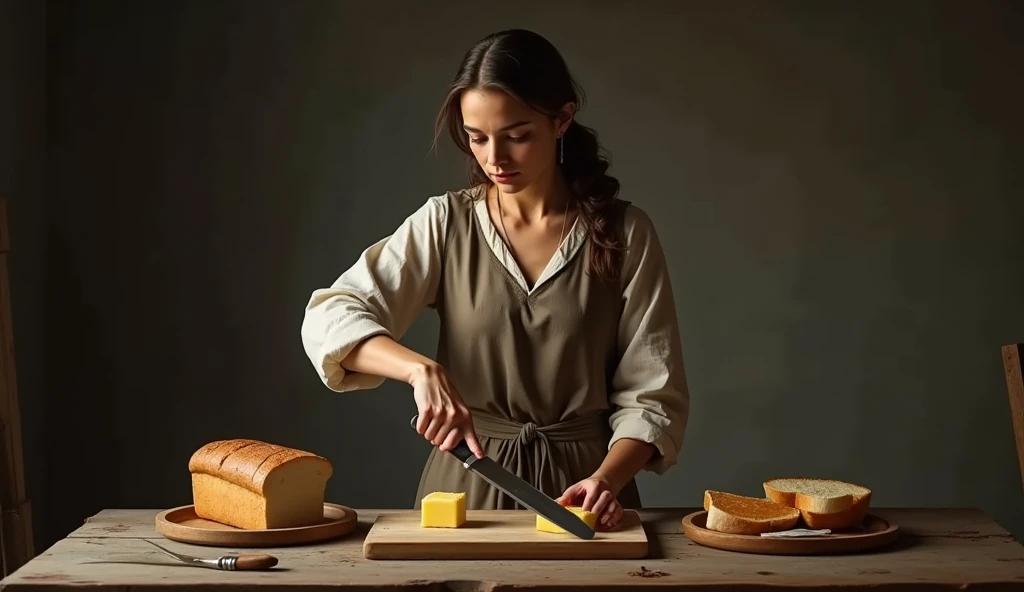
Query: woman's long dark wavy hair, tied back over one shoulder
[(529, 68)]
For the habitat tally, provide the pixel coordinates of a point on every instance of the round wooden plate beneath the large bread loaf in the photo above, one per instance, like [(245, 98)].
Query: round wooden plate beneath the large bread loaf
[(184, 526)]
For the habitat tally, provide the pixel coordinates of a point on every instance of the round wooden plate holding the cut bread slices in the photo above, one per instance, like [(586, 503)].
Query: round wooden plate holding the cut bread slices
[(875, 533)]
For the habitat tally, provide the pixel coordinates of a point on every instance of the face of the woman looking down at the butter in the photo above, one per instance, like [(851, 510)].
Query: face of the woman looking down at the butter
[(514, 144)]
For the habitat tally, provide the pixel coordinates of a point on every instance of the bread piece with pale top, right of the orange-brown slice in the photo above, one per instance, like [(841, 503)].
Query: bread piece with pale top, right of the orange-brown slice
[(823, 503)]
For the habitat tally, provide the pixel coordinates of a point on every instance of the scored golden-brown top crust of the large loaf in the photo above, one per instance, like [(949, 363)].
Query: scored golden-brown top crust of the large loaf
[(245, 462)]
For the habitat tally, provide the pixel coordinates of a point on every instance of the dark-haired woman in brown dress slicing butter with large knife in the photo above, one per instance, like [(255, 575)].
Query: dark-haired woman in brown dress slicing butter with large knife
[(560, 354)]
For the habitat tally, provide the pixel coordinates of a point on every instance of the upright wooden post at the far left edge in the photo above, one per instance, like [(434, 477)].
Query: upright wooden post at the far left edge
[(16, 515)]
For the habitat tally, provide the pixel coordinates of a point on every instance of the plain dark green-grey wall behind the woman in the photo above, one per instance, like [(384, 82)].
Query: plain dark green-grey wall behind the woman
[(838, 188)]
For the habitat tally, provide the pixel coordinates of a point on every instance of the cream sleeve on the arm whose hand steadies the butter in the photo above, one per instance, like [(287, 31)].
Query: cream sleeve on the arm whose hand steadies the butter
[(650, 395)]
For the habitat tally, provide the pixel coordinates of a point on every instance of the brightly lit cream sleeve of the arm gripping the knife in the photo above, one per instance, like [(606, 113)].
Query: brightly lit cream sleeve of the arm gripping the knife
[(382, 293)]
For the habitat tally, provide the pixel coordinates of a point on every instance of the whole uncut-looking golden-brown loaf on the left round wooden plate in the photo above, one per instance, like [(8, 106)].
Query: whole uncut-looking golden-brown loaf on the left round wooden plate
[(252, 485)]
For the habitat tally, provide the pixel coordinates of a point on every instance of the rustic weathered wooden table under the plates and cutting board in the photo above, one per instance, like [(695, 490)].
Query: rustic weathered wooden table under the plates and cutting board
[(947, 549)]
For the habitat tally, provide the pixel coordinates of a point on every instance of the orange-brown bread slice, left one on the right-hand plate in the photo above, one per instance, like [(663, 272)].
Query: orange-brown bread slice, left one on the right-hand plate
[(745, 516)]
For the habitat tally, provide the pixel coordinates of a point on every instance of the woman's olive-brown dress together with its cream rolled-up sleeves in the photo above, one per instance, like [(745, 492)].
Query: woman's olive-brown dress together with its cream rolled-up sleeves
[(553, 374)]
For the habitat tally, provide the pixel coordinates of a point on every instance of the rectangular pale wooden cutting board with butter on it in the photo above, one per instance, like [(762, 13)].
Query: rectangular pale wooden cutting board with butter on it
[(498, 535)]
